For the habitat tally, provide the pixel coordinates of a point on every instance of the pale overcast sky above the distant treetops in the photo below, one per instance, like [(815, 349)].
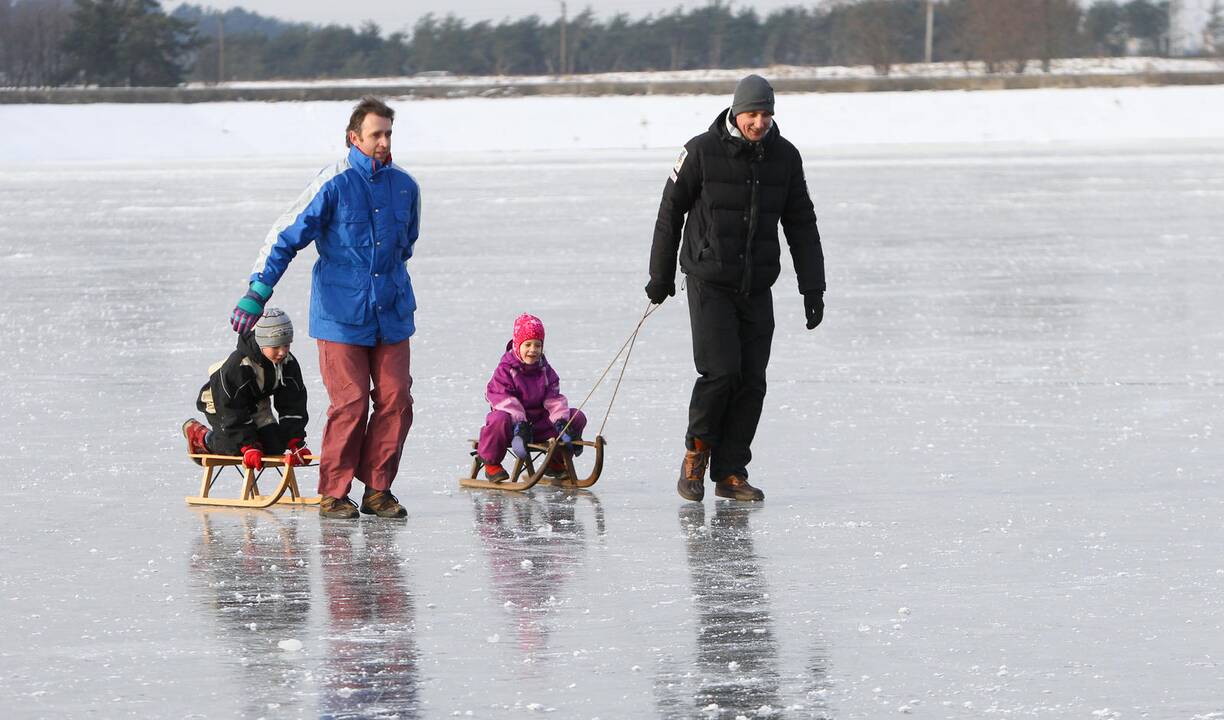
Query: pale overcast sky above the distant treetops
[(397, 15)]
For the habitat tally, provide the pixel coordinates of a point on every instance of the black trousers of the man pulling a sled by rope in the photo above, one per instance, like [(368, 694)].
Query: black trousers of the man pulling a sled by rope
[(733, 336)]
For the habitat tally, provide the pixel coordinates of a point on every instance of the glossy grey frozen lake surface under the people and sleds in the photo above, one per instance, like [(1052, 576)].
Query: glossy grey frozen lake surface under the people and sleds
[(994, 483)]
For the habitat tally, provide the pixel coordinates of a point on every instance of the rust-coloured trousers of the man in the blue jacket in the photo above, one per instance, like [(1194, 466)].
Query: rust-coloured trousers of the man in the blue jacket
[(357, 448)]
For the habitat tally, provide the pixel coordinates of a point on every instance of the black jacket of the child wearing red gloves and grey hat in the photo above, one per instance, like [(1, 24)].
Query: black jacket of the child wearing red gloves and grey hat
[(243, 391)]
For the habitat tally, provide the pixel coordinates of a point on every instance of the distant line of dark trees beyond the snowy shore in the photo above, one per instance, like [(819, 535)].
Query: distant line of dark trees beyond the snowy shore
[(136, 43)]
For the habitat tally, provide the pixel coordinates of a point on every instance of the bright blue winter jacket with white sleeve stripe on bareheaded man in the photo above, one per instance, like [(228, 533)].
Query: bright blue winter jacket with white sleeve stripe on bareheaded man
[(364, 219)]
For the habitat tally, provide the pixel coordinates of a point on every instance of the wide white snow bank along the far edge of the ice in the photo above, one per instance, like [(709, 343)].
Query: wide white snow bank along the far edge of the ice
[(222, 132)]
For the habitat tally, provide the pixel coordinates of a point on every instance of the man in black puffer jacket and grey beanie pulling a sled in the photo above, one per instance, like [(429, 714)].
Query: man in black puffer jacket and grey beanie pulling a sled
[(735, 184)]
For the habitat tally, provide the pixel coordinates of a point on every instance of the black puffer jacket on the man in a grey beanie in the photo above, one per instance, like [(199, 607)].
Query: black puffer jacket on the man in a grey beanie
[(735, 194)]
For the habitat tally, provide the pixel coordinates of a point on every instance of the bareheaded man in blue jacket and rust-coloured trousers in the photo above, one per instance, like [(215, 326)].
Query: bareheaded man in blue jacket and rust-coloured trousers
[(364, 215)]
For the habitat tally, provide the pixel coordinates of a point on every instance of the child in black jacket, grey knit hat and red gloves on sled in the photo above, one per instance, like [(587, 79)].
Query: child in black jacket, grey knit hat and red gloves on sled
[(242, 392)]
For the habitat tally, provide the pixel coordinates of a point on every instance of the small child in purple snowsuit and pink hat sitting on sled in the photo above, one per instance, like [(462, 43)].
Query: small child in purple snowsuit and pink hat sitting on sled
[(526, 402)]
